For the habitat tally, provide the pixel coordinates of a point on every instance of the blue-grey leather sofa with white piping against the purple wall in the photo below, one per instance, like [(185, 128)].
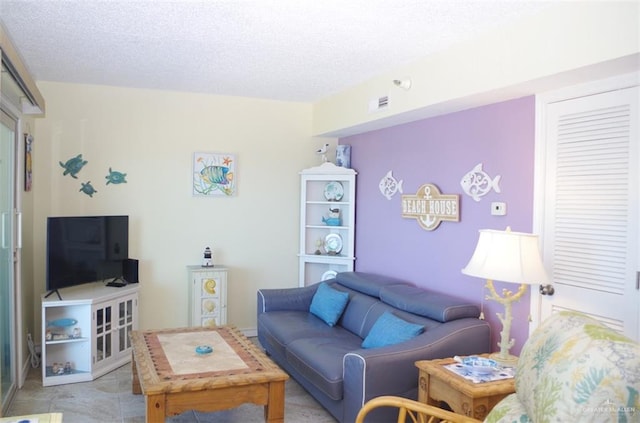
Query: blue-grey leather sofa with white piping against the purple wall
[(329, 361)]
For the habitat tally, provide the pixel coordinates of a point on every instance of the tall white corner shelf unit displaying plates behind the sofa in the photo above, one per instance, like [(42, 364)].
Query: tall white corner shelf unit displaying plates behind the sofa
[(322, 189)]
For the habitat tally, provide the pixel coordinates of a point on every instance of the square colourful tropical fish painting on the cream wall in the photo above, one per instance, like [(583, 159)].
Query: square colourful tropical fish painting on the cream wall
[(214, 174)]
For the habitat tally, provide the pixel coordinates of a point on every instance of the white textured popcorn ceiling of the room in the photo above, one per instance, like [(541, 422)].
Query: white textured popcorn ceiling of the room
[(293, 50)]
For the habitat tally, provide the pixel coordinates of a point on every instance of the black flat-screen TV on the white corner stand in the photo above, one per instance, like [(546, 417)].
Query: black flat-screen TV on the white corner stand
[(85, 249)]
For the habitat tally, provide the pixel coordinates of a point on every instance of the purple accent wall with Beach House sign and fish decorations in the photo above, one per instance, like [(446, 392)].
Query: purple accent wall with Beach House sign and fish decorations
[(441, 150)]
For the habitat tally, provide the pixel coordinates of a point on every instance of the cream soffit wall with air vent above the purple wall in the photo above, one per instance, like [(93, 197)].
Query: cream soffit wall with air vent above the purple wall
[(567, 43)]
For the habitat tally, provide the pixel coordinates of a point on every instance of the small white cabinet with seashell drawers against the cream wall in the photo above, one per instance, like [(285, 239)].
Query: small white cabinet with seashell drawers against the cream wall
[(207, 295)]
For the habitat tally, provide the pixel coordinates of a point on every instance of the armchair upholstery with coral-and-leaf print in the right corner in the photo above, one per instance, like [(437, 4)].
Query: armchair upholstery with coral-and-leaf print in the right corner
[(574, 369)]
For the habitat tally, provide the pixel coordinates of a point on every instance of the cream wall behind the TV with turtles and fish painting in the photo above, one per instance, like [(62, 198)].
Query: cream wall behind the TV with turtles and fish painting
[(152, 135)]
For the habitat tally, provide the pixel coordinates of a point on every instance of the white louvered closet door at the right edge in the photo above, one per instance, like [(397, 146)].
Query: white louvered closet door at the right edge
[(590, 232)]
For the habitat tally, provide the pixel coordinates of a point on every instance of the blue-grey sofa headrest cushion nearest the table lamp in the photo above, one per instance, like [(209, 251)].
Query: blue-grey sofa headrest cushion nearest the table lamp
[(436, 306)]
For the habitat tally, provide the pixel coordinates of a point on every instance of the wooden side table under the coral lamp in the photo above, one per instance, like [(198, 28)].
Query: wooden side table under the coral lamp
[(437, 384)]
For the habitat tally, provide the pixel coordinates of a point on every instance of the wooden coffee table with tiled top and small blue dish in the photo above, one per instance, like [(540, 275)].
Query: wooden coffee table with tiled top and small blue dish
[(175, 379)]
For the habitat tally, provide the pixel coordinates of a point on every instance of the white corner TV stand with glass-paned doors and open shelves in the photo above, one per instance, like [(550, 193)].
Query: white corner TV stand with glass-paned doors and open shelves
[(86, 333)]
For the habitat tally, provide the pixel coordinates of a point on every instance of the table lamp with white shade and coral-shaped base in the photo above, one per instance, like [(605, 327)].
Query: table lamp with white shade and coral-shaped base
[(508, 257)]
